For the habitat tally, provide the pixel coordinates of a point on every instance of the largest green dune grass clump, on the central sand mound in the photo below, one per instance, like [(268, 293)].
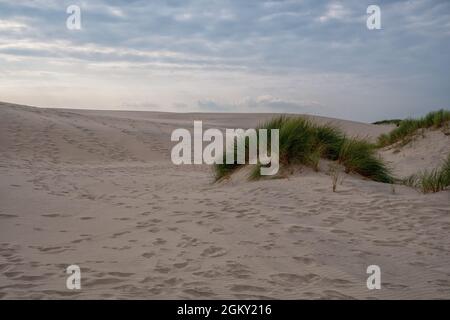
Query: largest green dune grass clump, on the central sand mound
[(304, 143)]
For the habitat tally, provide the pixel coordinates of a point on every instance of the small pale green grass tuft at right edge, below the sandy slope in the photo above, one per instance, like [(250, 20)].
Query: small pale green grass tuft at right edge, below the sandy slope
[(434, 180)]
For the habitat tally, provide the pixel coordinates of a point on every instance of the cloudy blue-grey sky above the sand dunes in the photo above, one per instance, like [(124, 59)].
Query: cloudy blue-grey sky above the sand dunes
[(295, 56)]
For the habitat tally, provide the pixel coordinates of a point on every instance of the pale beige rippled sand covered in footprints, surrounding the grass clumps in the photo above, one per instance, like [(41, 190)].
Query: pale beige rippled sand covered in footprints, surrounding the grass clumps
[(98, 189)]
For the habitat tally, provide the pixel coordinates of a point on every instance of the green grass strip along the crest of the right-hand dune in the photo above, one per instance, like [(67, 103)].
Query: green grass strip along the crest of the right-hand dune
[(407, 128)]
